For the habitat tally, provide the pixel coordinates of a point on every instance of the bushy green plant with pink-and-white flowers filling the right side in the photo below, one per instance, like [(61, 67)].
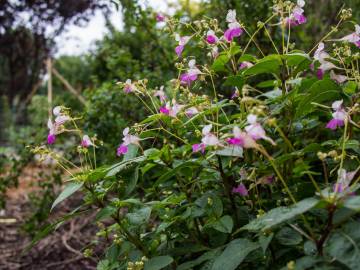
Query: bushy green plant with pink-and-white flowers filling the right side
[(264, 179)]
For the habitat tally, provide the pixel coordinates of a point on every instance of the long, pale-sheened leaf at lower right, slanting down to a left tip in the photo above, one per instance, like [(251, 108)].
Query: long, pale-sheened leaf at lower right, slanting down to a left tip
[(279, 215)]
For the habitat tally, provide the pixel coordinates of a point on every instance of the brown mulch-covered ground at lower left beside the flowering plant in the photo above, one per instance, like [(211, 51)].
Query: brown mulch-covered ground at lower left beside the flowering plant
[(62, 249)]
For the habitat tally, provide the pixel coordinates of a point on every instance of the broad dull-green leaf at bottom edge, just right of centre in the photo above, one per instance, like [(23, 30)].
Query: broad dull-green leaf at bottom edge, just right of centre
[(234, 254)]
